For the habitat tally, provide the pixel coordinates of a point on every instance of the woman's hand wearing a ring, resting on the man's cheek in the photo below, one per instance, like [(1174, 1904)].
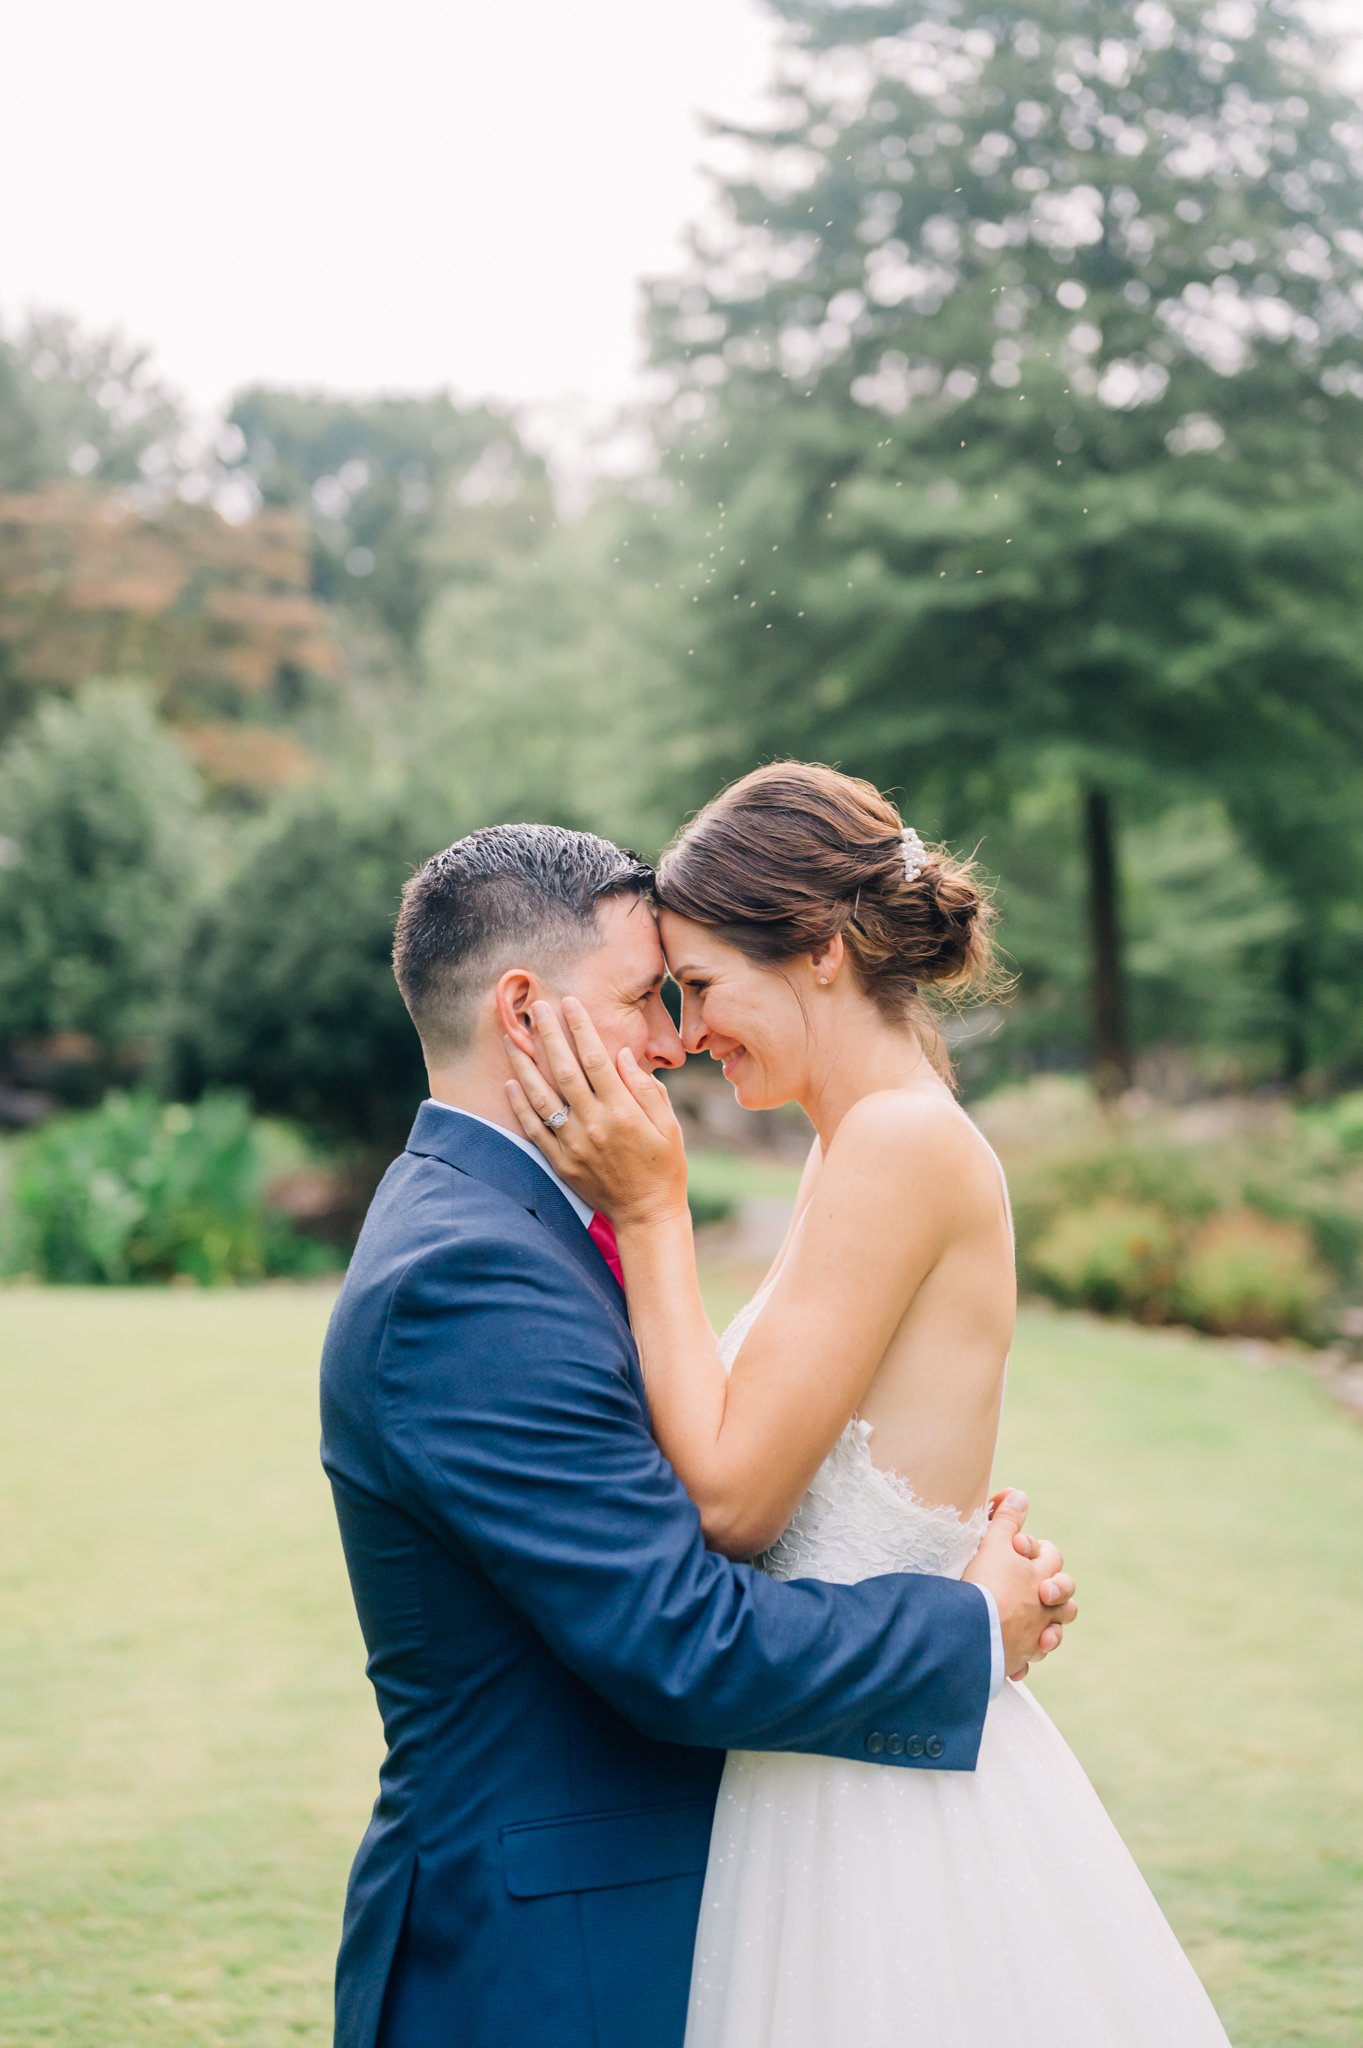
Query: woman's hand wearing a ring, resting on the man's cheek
[(621, 1146)]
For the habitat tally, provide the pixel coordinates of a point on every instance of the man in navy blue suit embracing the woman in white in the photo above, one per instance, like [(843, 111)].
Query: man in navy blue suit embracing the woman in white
[(558, 1660)]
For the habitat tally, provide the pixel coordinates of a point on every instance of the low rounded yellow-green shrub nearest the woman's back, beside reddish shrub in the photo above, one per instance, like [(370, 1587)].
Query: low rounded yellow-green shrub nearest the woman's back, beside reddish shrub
[(1112, 1256)]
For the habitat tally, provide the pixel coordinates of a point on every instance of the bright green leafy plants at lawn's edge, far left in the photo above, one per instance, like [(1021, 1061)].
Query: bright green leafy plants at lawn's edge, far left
[(142, 1191)]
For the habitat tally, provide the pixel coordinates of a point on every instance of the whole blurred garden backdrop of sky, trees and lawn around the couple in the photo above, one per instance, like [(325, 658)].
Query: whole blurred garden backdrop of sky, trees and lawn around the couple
[(425, 421)]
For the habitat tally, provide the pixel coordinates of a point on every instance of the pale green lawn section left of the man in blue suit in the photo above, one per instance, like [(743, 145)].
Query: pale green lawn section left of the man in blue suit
[(189, 1754)]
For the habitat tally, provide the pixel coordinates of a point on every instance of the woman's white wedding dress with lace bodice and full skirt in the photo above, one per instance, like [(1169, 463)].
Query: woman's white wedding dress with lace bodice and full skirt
[(856, 1906)]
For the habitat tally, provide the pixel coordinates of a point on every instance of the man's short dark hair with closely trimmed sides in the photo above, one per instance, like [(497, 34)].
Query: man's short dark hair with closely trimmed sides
[(509, 896)]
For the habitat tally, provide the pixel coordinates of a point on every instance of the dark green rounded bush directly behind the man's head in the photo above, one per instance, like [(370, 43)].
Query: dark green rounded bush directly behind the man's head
[(290, 990)]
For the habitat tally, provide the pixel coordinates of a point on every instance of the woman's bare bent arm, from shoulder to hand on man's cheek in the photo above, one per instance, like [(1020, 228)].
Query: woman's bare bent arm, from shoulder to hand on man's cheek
[(881, 1211)]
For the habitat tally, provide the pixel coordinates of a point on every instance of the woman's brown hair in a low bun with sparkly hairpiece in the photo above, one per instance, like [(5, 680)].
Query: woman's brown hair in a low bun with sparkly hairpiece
[(795, 853)]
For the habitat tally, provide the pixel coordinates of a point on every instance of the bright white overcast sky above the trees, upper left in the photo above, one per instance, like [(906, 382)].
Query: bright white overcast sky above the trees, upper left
[(365, 198)]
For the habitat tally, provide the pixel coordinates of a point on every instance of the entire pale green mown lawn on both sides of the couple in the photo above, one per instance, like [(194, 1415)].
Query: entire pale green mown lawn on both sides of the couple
[(187, 1744)]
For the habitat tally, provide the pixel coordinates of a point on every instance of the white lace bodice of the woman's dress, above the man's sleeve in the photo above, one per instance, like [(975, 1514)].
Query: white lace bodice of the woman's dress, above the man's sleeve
[(856, 1519)]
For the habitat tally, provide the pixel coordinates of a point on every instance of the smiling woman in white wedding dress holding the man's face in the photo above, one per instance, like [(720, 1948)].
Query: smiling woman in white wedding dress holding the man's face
[(846, 1426)]
